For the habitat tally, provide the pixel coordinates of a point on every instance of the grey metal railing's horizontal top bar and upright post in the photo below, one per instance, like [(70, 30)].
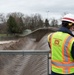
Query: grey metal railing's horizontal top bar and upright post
[(28, 52)]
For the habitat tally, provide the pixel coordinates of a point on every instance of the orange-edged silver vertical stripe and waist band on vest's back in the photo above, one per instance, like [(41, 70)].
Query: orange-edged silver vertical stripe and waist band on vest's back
[(66, 64)]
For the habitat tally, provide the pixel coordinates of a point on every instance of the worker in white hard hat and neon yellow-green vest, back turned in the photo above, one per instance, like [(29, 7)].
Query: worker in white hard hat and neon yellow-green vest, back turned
[(61, 44)]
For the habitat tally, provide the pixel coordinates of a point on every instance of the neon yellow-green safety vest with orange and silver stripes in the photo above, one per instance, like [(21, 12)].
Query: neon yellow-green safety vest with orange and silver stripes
[(61, 59)]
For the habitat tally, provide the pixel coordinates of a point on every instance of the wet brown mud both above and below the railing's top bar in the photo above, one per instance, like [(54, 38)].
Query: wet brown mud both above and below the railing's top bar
[(25, 64)]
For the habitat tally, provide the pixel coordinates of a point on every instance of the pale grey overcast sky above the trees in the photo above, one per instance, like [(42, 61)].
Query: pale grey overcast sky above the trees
[(47, 8)]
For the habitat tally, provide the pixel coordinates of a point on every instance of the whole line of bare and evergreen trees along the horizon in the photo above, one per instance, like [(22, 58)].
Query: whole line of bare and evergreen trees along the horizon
[(16, 23)]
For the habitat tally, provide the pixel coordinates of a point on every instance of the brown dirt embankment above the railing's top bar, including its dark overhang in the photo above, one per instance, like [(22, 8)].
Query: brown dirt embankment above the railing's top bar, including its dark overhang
[(35, 40)]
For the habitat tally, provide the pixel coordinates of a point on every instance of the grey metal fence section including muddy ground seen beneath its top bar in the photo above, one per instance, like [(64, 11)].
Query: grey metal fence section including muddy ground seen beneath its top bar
[(32, 62)]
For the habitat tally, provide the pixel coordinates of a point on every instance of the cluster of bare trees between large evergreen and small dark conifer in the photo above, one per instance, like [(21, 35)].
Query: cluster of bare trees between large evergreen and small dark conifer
[(33, 22)]
